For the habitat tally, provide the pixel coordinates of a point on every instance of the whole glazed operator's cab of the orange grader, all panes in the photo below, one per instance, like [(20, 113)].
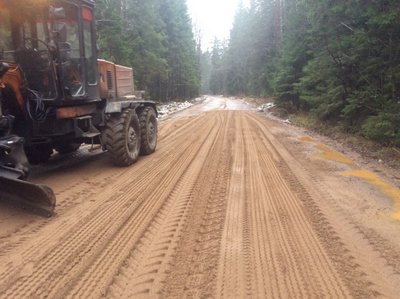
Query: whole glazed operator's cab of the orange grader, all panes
[(38, 36)]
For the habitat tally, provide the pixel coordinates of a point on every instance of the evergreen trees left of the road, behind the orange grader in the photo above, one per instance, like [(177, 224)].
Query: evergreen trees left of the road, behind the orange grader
[(155, 37)]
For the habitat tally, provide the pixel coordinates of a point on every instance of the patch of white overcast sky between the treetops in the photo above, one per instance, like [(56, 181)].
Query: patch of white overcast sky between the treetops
[(213, 18)]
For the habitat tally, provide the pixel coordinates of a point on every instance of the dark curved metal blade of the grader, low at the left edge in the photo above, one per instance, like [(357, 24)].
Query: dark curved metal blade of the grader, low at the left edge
[(37, 198)]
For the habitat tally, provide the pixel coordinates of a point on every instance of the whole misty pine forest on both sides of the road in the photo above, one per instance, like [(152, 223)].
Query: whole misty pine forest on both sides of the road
[(337, 61)]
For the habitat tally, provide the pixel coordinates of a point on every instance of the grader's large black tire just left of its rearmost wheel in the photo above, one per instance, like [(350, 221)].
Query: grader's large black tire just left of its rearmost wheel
[(123, 138)]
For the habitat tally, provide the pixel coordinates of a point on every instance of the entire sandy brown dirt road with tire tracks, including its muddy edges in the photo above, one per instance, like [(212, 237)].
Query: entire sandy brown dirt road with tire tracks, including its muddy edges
[(232, 204)]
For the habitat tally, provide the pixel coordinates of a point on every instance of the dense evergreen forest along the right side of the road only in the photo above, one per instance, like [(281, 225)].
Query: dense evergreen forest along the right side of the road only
[(337, 62)]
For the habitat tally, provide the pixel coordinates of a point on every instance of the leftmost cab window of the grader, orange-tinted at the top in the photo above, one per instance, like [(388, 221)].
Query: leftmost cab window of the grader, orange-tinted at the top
[(24, 39)]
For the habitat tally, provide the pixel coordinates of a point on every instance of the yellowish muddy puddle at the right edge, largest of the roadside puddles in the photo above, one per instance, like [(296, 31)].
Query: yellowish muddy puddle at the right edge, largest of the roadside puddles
[(387, 189)]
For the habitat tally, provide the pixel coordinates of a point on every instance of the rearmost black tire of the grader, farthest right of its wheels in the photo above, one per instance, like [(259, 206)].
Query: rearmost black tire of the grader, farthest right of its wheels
[(149, 130)]
